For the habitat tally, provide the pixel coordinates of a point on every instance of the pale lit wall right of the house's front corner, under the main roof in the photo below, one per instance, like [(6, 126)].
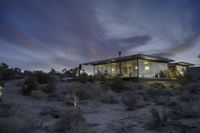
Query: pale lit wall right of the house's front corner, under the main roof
[(152, 69)]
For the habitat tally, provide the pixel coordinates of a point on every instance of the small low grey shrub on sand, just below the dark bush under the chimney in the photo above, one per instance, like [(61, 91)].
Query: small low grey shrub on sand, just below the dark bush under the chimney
[(108, 97)]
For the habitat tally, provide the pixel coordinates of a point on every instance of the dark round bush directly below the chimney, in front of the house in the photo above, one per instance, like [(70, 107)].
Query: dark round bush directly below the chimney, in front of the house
[(117, 85)]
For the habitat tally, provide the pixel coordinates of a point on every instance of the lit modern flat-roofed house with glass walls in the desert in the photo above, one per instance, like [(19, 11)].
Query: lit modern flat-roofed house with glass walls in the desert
[(139, 66)]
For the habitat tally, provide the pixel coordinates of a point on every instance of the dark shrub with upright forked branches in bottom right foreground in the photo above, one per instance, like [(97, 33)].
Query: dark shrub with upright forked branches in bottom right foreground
[(159, 120)]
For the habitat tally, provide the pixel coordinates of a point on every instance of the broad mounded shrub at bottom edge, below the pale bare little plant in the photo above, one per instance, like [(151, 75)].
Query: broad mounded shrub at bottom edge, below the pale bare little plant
[(72, 122)]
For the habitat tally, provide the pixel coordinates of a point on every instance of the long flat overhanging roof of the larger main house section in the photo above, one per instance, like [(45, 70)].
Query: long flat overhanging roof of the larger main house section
[(130, 57)]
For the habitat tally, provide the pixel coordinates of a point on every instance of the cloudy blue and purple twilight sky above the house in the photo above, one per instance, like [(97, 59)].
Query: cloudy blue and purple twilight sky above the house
[(41, 34)]
